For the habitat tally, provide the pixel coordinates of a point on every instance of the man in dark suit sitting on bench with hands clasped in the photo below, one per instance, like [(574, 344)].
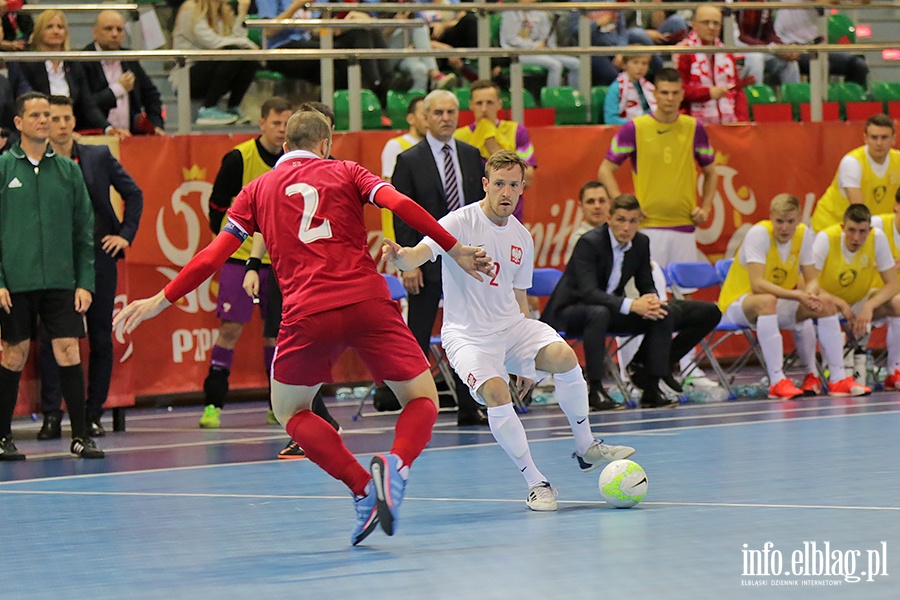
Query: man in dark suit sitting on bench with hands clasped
[(590, 301)]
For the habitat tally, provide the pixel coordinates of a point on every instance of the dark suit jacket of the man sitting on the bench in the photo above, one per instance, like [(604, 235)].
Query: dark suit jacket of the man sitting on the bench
[(587, 275)]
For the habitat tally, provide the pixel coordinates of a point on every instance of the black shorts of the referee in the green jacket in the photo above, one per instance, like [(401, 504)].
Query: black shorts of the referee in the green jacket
[(55, 308)]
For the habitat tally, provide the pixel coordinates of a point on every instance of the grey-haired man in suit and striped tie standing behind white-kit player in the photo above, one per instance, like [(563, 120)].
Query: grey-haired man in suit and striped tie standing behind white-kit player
[(441, 174)]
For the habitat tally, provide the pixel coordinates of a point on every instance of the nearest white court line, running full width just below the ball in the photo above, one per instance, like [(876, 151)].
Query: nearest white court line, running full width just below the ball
[(414, 499)]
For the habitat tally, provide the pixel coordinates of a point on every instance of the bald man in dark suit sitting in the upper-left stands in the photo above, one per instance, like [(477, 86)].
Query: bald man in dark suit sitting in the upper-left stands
[(121, 89)]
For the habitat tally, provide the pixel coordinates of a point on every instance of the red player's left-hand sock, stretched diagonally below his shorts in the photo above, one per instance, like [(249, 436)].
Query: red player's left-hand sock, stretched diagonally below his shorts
[(324, 446)]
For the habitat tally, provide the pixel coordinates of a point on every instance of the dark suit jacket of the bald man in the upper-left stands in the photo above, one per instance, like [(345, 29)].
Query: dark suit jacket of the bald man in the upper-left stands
[(144, 97)]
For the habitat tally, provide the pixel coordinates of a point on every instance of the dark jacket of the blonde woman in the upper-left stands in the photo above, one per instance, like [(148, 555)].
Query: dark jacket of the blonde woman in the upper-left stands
[(32, 77)]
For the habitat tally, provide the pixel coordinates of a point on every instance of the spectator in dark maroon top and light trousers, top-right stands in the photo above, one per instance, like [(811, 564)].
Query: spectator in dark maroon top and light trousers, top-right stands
[(756, 27)]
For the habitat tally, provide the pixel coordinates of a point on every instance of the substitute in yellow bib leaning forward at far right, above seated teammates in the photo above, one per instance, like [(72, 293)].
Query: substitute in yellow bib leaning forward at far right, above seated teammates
[(867, 175)]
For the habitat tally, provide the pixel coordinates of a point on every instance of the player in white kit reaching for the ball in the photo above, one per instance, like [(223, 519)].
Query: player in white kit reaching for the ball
[(487, 332)]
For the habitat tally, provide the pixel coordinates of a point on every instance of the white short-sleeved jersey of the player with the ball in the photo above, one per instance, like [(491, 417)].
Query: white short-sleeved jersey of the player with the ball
[(477, 307)]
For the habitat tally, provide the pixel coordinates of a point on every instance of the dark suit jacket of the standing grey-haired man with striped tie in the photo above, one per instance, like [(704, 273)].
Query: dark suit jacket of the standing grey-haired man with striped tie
[(417, 176)]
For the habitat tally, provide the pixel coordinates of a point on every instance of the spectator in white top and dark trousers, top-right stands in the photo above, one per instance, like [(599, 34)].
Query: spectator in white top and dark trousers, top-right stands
[(801, 26)]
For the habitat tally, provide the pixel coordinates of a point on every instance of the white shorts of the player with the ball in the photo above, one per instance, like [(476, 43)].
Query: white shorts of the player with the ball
[(513, 350)]
